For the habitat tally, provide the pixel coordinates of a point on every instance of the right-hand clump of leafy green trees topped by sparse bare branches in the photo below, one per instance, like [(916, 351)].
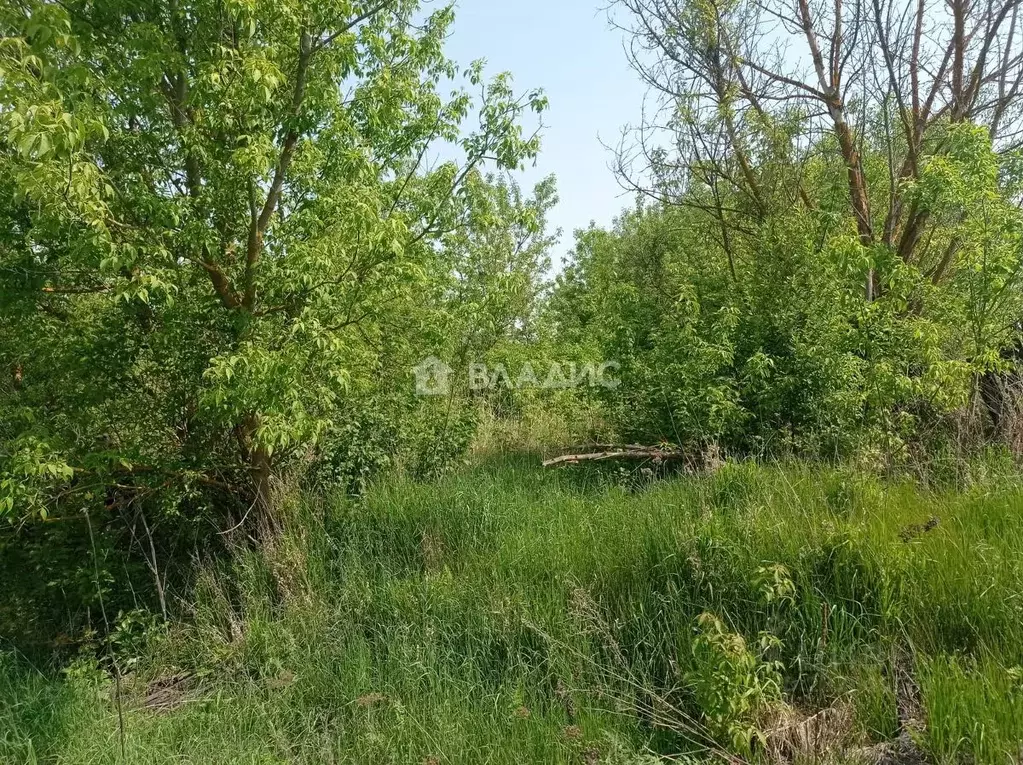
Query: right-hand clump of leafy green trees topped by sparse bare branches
[(827, 258)]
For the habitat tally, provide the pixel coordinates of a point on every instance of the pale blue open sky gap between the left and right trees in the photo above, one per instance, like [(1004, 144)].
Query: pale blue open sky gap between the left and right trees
[(568, 49)]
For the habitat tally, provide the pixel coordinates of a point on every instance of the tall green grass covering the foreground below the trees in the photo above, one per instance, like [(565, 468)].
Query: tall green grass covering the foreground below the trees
[(508, 615)]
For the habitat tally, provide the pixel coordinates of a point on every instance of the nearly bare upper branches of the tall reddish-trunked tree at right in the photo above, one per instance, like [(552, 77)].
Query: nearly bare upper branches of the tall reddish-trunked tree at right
[(873, 85)]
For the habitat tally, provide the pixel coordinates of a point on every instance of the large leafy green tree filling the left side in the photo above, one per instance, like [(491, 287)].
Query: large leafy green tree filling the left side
[(216, 210)]
